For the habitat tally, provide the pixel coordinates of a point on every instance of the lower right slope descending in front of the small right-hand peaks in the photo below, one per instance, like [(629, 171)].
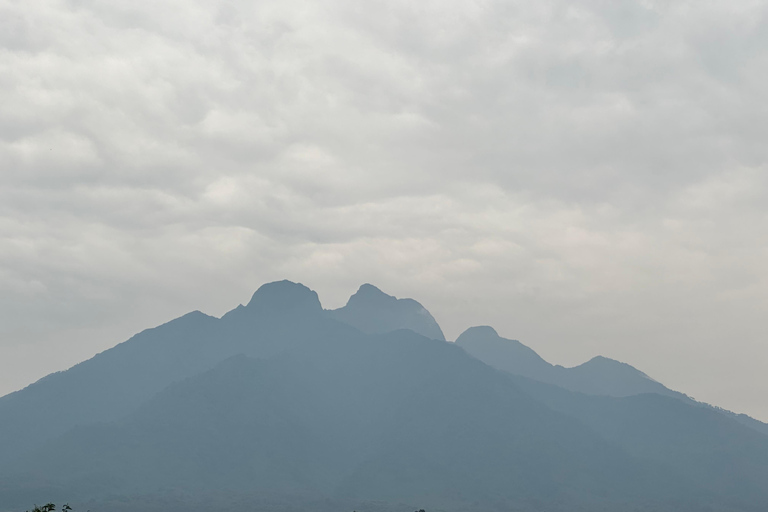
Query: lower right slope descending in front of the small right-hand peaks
[(700, 442)]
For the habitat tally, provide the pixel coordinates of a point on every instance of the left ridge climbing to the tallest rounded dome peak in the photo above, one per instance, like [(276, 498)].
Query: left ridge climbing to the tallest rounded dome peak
[(118, 380)]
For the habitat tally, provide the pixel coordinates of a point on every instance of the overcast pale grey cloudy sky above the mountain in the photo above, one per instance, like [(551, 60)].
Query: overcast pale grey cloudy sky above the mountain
[(587, 177)]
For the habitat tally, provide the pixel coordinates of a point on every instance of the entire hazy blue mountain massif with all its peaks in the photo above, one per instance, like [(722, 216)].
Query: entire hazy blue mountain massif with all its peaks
[(286, 406)]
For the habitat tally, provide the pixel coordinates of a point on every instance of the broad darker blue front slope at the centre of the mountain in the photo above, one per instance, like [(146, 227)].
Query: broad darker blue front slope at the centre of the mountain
[(395, 418)]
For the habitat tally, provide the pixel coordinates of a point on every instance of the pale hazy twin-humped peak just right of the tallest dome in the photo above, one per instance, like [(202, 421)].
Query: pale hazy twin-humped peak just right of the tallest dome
[(374, 312)]
